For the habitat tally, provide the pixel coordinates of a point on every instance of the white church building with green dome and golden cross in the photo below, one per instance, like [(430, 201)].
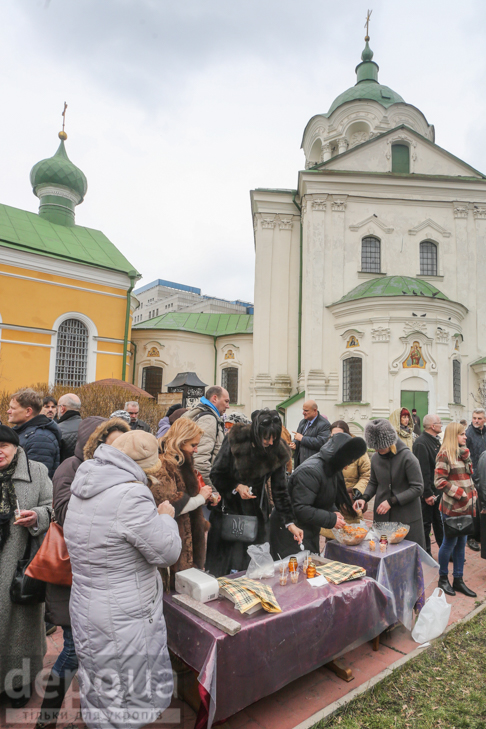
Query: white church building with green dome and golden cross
[(369, 276)]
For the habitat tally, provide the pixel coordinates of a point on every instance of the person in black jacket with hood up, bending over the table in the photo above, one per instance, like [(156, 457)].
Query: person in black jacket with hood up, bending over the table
[(318, 493)]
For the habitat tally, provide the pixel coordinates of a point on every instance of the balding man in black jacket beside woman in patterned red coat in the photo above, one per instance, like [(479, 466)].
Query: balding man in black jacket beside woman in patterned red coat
[(425, 449)]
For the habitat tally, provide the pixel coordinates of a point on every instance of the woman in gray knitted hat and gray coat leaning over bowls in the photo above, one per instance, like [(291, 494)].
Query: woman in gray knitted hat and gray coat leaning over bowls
[(396, 480)]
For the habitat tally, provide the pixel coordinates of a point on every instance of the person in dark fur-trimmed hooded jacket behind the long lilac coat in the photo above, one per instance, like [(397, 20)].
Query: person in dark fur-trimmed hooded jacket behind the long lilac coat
[(92, 432)]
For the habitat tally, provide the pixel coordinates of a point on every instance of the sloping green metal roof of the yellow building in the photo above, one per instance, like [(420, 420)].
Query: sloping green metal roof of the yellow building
[(27, 231)]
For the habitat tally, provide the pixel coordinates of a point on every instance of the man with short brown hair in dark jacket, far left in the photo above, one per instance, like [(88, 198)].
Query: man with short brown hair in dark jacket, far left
[(39, 437)]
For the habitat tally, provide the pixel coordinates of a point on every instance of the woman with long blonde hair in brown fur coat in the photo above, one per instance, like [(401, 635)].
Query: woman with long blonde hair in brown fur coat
[(177, 482)]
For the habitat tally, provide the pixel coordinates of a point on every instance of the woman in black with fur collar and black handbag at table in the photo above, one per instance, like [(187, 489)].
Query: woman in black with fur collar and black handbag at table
[(250, 456)]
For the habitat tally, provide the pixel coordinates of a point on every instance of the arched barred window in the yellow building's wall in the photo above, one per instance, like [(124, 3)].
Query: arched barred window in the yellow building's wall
[(72, 353)]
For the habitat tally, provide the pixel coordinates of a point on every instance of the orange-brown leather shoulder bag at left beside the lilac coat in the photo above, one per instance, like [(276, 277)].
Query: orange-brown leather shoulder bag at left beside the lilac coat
[(51, 563)]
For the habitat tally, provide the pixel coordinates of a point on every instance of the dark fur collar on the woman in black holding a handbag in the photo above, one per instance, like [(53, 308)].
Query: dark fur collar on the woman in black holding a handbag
[(250, 463)]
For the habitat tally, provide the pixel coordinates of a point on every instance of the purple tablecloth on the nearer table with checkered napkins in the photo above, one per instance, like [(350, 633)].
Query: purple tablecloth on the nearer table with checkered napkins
[(315, 626)]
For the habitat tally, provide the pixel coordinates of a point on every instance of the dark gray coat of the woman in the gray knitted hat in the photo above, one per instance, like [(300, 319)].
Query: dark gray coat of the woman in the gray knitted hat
[(399, 476)]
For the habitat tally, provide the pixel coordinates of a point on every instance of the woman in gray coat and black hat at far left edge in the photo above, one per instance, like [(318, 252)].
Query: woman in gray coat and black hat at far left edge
[(22, 627)]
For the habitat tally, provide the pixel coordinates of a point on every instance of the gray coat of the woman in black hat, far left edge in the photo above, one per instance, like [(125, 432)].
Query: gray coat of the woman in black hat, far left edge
[(22, 628)]
